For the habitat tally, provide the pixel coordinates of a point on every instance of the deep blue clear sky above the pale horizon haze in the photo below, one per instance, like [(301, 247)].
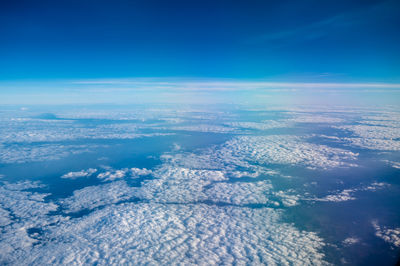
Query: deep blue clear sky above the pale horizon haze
[(280, 40)]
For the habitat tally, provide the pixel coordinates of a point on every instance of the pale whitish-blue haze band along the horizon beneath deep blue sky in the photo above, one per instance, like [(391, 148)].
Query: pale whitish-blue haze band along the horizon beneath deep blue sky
[(185, 90)]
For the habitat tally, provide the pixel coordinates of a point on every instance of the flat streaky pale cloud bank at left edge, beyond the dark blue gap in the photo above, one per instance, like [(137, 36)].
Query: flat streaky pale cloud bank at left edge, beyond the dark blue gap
[(32, 140)]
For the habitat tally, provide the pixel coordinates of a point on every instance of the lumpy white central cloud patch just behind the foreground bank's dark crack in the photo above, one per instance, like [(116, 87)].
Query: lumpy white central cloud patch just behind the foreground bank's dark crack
[(182, 185)]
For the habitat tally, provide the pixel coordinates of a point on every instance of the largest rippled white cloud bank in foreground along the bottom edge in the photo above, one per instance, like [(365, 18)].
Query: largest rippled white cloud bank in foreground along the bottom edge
[(189, 234)]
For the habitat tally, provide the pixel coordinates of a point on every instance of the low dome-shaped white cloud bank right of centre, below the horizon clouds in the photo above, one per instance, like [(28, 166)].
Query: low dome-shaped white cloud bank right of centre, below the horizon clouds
[(249, 151)]
